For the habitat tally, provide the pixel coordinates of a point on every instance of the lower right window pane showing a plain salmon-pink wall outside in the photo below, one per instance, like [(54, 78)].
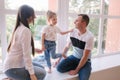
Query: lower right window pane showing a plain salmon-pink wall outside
[(112, 36)]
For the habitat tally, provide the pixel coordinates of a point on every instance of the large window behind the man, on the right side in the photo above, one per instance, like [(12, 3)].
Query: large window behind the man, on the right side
[(104, 18)]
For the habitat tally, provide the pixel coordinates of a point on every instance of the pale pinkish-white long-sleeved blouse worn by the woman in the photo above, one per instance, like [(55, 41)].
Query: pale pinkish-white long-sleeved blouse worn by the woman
[(19, 55)]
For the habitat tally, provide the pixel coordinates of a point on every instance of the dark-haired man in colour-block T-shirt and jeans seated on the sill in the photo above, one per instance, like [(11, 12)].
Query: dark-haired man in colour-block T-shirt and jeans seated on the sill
[(82, 42)]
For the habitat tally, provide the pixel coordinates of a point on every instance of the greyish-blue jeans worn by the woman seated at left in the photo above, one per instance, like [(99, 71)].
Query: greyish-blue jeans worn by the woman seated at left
[(23, 74)]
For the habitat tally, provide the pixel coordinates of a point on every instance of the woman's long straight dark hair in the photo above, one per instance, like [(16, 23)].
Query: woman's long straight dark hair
[(24, 13)]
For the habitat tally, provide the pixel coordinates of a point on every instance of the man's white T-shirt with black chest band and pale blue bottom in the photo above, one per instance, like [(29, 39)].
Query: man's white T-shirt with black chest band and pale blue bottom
[(87, 38)]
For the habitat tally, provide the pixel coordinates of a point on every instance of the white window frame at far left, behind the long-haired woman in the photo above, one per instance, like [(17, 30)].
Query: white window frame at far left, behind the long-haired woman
[(3, 27)]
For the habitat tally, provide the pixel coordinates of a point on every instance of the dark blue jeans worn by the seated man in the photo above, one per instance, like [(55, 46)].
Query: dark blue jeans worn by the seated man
[(71, 63)]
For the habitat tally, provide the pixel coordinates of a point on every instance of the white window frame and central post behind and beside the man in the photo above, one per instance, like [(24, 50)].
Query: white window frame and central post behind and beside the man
[(63, 10)]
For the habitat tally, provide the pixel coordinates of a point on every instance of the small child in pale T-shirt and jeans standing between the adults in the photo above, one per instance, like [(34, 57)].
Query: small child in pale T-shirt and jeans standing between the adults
[(49, 35)]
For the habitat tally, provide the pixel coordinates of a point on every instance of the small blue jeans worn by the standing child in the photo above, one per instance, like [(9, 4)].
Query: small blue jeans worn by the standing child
[(50, 50)]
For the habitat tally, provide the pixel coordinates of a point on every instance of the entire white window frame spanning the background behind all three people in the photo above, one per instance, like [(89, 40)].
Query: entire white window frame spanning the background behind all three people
[(63, 14)]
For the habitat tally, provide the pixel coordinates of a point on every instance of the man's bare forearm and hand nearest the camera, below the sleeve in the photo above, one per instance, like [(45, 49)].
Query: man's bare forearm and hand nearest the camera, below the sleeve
[(81, 63)]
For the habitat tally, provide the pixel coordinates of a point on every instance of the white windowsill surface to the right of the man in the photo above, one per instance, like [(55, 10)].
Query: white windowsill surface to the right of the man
[(104, 62)]
